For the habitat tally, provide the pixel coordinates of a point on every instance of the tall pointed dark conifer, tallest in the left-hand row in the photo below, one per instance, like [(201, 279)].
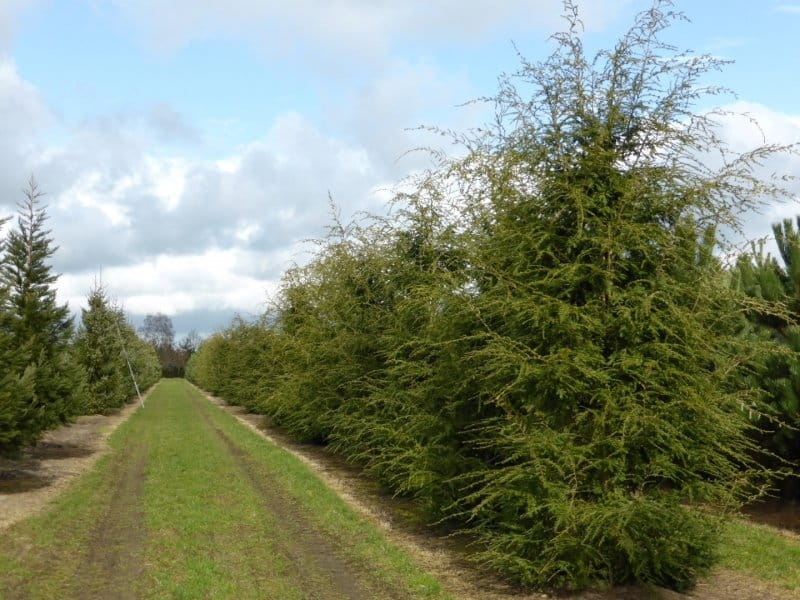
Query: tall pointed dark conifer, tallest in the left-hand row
[(40, 328)]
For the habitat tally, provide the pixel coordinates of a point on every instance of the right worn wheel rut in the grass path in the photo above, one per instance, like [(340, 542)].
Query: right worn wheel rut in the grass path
[(318, 567)]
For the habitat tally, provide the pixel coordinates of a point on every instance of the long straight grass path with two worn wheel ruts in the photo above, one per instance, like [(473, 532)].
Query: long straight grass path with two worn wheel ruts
[(191, 504)]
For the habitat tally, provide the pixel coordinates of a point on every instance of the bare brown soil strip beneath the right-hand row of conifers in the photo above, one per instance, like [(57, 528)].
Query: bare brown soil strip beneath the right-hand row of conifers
[(446, 559)]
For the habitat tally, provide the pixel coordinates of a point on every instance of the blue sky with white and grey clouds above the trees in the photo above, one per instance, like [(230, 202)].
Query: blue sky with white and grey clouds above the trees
[(188, 148)]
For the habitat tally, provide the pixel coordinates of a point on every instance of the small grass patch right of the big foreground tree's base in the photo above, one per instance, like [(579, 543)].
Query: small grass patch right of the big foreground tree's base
[(762, 552)]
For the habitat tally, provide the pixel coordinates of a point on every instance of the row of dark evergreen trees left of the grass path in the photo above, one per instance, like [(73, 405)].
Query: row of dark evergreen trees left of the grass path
[(50, 373)]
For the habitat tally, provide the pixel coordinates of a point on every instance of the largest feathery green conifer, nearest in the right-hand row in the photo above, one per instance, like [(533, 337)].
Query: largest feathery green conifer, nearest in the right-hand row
[(606, 410)]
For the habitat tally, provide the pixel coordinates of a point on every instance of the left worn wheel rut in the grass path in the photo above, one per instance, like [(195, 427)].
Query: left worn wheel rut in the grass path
[(112, 566)]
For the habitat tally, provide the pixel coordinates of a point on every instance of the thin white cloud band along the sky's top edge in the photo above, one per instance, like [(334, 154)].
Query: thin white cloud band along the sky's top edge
[(364, 28)]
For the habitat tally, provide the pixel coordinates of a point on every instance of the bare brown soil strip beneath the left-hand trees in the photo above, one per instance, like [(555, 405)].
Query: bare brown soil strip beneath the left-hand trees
[(30, 482)]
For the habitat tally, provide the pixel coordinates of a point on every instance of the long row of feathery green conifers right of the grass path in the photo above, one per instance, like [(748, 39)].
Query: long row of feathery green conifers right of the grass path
[(541, 347)]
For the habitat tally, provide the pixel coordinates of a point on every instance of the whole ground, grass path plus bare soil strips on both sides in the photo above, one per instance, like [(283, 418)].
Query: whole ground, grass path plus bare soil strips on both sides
[(184, 502)]
